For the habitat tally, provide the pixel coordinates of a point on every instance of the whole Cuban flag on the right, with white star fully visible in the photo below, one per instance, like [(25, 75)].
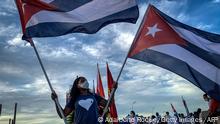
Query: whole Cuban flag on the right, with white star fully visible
[(189, 52)]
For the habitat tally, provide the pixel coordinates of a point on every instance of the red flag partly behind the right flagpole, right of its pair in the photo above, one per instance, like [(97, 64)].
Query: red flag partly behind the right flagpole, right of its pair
[(113, 110)]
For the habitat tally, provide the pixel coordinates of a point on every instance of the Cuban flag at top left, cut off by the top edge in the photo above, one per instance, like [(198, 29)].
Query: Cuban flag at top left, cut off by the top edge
[(47, 18)]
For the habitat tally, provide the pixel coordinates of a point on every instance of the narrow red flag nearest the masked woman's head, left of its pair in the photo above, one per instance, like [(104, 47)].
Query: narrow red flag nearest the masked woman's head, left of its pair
[(99, 88)]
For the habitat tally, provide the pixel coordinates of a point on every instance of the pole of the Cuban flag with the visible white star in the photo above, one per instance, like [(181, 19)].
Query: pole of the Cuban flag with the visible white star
[(116, 82)]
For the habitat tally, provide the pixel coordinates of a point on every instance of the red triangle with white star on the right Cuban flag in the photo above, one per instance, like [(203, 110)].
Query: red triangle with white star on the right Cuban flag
[(154, 31)]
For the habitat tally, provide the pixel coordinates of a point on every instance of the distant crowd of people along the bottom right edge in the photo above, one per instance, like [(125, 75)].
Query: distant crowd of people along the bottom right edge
[(209, 117)]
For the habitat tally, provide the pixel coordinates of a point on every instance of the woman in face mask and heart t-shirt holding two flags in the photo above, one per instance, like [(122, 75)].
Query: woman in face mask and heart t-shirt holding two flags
[(83, 103)]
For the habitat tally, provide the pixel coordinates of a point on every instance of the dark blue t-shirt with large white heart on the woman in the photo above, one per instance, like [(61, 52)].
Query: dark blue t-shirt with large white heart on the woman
[(86, 109)]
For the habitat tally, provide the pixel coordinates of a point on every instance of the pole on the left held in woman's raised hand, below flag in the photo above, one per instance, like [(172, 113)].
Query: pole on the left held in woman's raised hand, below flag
[(48, 81)]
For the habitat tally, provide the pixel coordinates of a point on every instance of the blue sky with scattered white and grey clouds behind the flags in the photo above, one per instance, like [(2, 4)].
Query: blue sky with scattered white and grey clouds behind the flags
[(65, 57)]
